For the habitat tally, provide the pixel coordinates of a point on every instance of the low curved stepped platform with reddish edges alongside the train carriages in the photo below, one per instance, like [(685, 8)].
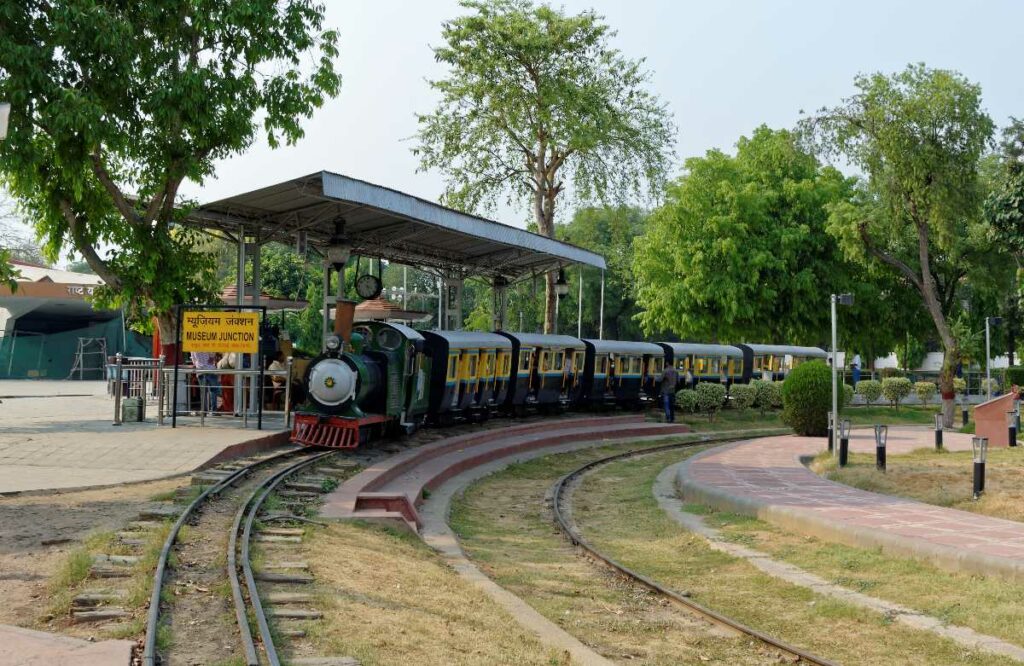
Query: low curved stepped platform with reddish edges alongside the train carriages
[(394, 489)]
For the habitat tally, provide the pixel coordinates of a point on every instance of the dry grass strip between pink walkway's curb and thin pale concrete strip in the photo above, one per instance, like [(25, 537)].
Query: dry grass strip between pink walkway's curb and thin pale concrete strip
[(991, 606)]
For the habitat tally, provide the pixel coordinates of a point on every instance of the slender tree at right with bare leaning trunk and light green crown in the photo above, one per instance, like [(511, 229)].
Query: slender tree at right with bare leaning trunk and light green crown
[(918, 137)]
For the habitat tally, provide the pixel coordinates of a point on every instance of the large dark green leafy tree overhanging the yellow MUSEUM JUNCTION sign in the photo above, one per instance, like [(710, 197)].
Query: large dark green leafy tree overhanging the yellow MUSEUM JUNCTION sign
[(115, 105)]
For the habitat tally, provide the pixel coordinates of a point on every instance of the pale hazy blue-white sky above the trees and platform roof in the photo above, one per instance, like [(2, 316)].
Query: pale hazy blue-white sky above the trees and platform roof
[(722, 67)]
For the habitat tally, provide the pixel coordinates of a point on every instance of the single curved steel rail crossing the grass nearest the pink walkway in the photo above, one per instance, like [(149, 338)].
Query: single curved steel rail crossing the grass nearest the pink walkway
[(577, 539)]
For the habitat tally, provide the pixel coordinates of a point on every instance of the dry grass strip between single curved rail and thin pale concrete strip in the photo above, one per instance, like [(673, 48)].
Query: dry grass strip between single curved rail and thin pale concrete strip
[(618, 512)]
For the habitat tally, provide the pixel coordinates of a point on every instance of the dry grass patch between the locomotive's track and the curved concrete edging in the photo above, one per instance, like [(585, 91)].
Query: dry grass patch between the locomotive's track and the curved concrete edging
[(388, 599)]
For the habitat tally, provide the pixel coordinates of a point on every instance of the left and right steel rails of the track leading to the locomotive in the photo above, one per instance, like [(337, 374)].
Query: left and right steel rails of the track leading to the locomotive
[(249, 510)]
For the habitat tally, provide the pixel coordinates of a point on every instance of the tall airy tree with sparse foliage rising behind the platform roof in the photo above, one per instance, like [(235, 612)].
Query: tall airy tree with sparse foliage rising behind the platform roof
[(534, 100)]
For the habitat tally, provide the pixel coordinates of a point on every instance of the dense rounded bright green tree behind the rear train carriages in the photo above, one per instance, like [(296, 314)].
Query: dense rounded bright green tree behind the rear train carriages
[(740, 253)]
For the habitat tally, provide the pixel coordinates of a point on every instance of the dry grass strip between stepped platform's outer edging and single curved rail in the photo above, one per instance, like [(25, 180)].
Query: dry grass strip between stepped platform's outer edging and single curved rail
[(508, 531)]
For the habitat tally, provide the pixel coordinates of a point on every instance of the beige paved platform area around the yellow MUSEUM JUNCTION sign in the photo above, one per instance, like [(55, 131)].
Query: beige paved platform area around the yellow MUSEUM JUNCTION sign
[(59, 435)]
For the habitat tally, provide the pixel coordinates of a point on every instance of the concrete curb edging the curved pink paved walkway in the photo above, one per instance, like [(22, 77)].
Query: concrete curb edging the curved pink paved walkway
[(944, 557)]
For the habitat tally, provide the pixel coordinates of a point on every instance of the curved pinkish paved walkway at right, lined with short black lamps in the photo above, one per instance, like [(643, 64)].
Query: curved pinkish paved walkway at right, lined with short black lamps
[(765, 478)]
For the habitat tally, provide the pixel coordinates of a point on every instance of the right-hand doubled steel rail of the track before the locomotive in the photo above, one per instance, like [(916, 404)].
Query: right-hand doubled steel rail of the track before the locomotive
[(248, 512)]
